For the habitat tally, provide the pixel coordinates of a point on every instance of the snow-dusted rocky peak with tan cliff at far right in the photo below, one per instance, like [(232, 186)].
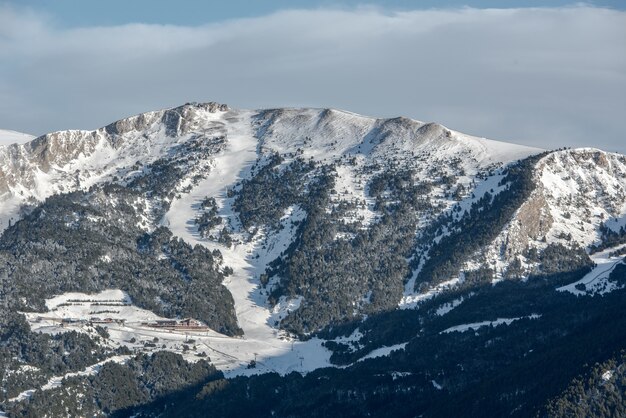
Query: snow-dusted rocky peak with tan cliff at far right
[(578, 193)]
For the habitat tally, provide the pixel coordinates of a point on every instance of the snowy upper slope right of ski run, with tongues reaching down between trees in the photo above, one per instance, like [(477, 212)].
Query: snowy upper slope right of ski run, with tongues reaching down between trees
[(362, 147)]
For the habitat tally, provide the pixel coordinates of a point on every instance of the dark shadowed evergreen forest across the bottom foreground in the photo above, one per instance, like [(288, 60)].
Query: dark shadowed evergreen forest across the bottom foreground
[(527, 368)]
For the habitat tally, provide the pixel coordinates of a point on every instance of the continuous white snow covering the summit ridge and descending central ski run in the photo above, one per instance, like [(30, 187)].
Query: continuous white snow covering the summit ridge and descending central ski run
[(358, 147)]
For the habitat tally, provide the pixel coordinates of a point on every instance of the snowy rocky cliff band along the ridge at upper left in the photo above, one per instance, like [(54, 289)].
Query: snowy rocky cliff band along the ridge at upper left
[(69, 160)]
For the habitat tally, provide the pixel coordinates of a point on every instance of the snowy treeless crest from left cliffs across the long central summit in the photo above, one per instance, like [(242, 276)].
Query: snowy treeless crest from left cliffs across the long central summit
[(69, 160)]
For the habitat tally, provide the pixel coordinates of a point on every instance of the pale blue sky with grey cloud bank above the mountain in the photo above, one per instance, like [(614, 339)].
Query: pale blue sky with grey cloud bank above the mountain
[(543, 73)]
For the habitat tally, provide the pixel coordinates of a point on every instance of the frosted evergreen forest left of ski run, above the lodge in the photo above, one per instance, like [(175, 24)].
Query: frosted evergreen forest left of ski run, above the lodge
[(92, 241)]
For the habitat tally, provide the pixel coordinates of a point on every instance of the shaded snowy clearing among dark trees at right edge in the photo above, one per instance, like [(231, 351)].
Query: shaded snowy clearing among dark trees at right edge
[(596, 281)]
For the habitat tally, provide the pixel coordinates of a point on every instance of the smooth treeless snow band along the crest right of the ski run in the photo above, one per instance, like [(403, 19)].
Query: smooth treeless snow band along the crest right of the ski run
[(325, 134)]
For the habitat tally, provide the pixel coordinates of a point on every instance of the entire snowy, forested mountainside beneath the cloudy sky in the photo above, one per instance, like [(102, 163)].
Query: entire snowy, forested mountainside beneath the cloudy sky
[(401, 261)]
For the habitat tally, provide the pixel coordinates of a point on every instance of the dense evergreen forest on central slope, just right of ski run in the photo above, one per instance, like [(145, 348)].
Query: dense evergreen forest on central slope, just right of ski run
[(341, 279)]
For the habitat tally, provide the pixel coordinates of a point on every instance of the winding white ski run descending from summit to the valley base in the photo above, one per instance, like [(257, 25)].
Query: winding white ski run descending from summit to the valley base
[(273, 350)]
